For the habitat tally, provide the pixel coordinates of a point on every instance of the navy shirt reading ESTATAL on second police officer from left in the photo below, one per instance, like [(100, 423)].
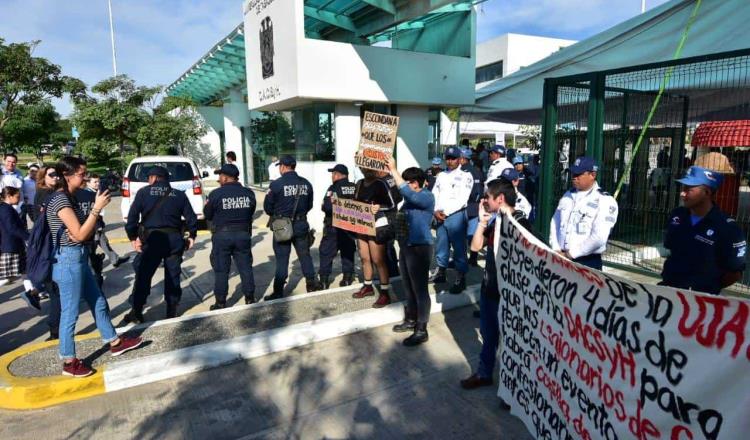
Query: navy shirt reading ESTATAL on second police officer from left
[(230, 206)]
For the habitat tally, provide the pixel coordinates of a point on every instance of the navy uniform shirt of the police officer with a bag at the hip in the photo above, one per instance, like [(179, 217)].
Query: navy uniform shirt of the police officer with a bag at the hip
[(281, 194)]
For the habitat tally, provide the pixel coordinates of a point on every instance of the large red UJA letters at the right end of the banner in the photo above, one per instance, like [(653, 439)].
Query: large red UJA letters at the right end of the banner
[(715, 331)]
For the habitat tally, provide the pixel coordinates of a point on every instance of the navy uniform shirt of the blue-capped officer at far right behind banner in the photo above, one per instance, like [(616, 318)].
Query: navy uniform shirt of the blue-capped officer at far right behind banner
[(701, 254)]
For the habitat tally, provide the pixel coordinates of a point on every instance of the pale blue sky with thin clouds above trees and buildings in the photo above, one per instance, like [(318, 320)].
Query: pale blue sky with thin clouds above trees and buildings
[(158, 40)]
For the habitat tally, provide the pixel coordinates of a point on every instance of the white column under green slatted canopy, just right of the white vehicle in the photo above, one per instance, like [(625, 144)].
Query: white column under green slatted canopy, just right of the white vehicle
[(236, 116)]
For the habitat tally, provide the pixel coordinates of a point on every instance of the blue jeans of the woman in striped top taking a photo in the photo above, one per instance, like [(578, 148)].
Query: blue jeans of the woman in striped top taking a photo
[(75, 280)]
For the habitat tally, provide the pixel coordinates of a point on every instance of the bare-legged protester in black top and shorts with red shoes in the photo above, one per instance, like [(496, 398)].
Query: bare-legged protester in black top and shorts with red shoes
[(375, 191)]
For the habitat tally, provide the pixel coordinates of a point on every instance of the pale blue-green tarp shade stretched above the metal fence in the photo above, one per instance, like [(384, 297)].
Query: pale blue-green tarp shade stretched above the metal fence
[(721, 26)]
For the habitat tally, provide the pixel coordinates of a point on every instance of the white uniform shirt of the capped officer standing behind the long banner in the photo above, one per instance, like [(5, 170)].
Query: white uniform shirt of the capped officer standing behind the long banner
[(582, 222)]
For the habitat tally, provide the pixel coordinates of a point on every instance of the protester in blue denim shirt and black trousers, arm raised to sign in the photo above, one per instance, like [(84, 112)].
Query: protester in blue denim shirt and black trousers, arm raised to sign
[(416, 251)]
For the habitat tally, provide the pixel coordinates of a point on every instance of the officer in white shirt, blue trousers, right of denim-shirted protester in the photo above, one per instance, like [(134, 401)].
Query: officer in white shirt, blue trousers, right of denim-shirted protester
[(452, 190)]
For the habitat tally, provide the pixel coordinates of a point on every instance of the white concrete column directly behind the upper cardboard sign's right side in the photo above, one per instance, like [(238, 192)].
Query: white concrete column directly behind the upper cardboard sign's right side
[(411, 146)]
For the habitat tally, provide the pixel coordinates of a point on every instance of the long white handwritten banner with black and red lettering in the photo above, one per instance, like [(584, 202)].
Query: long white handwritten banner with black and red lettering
[(587, 355)]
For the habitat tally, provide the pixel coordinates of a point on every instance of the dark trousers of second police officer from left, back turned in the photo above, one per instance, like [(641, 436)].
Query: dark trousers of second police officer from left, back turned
[(226, 246)]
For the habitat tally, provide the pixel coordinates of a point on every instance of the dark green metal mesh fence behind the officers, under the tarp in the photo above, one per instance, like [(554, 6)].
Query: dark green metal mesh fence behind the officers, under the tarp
[(602, 114)]
